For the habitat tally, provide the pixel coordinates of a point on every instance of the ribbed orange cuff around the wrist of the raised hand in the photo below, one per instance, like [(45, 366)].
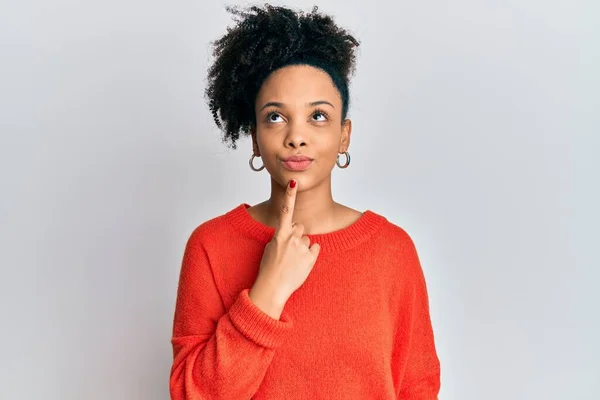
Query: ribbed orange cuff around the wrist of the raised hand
[(256, 325)]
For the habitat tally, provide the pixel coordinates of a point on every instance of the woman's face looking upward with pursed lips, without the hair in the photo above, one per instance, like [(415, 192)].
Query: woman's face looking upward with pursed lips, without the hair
[(299, 112)]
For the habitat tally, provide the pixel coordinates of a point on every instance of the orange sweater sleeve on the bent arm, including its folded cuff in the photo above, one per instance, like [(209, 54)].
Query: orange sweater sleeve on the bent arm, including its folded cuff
[(218, 353)]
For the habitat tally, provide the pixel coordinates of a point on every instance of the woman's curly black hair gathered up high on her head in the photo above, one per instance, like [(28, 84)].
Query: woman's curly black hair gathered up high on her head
[(263, 41)]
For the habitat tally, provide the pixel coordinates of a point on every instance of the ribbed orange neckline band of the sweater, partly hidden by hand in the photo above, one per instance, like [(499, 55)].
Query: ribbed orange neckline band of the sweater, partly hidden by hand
[(331, 242)]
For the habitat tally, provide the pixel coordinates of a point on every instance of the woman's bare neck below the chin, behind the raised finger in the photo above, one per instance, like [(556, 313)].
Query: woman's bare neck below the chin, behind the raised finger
[(314, 207)]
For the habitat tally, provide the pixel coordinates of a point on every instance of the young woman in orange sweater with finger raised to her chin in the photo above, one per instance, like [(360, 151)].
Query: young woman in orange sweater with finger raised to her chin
[(298, 297)]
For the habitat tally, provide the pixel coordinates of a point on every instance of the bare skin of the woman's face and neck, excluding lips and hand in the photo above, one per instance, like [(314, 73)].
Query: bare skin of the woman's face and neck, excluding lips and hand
[(293, 127)]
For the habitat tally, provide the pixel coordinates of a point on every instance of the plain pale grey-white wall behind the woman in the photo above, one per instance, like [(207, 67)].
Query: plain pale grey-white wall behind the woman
[(475, 129)]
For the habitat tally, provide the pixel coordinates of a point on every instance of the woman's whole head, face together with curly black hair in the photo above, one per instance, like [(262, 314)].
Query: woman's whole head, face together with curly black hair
[(282, 76)]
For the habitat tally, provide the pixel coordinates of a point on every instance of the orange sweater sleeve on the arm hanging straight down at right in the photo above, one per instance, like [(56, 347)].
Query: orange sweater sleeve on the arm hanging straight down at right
[(421, 379)]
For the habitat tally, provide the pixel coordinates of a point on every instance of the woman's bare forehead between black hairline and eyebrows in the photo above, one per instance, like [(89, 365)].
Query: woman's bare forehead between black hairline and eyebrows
[(298, 83)]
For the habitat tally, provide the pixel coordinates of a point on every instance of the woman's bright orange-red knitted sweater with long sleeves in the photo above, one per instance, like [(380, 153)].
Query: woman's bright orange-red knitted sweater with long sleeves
[(358, 328)]
